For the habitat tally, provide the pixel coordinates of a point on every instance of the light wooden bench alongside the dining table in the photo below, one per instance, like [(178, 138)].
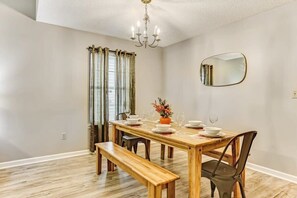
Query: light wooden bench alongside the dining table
[(154, 177)]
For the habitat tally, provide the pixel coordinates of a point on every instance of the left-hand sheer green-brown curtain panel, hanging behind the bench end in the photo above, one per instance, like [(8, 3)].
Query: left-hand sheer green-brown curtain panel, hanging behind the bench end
[(98, 96)]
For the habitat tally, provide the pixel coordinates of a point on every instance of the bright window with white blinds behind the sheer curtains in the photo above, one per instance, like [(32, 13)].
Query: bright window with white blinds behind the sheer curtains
[(118, 85)]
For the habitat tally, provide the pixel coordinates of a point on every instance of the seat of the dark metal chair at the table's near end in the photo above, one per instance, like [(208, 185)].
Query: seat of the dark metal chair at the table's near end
[(223, 170)]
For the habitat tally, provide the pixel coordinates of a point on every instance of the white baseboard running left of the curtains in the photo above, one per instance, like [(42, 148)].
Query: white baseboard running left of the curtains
[(45, 158)]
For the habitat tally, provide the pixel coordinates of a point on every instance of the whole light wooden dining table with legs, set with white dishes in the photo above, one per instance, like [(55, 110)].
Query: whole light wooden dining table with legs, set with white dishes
[(184, 138)]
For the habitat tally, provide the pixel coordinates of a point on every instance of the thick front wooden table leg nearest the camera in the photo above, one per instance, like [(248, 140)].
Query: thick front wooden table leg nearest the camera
[(194, 163)]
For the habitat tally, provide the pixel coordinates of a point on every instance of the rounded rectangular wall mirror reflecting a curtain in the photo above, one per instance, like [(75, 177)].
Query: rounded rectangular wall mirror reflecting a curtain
[(223, 69)]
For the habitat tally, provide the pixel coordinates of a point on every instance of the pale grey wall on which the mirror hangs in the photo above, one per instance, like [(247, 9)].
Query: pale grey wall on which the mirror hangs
[(263, 101)]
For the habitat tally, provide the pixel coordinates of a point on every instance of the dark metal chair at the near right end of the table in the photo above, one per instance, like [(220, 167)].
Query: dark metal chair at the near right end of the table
[(224, 176)]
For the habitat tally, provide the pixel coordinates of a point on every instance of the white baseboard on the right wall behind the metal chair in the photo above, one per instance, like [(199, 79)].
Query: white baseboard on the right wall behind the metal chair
[(271, 172)]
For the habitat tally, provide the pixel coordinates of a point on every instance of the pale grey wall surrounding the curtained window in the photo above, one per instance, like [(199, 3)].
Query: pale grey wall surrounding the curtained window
[(44, 80)]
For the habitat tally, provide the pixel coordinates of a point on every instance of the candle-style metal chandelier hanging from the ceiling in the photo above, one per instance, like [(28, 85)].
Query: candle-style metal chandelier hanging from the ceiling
[(145, 41)]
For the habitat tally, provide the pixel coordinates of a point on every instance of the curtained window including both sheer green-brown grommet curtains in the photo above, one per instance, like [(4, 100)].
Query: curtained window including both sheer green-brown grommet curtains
[(111, 90)]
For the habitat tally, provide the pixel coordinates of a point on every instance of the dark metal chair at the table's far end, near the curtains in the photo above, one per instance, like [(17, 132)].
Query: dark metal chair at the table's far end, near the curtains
[(132, 141)]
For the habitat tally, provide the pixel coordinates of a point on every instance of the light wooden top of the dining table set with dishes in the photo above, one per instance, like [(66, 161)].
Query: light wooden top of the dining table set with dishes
[(182, 138)]
